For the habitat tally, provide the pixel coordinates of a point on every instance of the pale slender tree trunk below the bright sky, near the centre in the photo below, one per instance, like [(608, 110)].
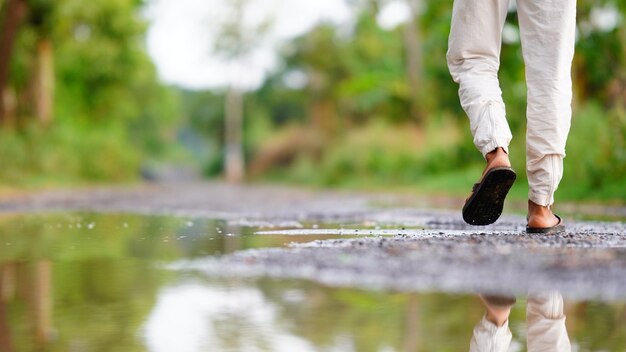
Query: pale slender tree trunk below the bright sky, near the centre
[(233, 153)]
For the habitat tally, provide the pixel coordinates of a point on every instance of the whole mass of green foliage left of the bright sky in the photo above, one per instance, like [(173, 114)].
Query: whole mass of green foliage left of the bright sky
[(110, 112)]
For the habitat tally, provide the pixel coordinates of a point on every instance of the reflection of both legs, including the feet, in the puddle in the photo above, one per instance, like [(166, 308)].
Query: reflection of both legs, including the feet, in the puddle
[(545, 321)]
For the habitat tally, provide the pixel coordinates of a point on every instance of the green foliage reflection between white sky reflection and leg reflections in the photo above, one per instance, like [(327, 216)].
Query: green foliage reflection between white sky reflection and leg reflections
[(374, 321)]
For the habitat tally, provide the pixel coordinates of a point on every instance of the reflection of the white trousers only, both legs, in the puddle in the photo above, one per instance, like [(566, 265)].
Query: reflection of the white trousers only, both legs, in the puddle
[(546, 328)]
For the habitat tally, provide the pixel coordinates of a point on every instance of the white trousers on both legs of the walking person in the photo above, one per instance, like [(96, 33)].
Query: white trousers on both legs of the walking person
[(547, 29)]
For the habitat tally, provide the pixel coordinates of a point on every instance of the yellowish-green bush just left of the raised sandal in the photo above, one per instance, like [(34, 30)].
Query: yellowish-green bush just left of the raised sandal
[(383, 154)]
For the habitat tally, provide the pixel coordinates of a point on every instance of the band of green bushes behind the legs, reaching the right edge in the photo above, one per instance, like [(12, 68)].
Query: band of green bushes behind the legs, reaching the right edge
[(442, 157)]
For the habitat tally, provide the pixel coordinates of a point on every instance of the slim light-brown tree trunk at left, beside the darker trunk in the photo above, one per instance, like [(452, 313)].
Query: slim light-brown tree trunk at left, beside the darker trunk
[(44, 82)]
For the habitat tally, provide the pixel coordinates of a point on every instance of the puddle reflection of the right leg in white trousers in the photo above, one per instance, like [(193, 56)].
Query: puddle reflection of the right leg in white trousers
[(546, 323)]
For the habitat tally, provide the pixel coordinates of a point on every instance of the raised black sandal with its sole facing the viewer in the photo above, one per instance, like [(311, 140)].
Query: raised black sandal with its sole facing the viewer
[(485, 204)]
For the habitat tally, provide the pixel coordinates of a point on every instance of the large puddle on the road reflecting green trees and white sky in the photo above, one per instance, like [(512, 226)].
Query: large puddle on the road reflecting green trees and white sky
[(88, 282)]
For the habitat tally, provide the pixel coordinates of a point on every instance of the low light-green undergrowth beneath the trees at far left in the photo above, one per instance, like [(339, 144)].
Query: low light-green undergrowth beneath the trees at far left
[(66, 154)]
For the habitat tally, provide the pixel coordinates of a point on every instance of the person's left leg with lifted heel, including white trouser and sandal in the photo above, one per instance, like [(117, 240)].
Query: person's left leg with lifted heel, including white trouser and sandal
[(474, 59)]
